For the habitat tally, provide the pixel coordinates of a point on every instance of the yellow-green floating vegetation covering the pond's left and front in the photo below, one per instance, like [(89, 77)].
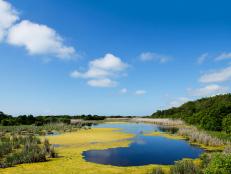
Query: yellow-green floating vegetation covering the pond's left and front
[(70, 151)]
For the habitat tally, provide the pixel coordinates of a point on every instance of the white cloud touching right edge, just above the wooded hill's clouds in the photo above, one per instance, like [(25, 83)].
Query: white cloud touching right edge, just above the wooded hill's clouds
[(218, 76)]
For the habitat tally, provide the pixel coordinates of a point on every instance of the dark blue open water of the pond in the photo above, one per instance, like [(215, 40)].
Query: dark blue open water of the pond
[(144, 149)]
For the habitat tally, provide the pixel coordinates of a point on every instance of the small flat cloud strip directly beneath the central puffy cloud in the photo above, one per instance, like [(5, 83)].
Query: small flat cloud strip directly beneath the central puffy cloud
[(102, 83)]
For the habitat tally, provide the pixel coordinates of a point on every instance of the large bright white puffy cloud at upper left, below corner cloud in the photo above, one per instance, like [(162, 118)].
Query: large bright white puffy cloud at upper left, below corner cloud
[(38, 39)]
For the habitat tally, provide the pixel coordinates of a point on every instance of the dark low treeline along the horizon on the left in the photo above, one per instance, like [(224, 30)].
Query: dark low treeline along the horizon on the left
[(8, 120)]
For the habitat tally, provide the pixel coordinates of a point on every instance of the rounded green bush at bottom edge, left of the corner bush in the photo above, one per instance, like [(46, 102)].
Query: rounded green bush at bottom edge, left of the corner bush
[(185, 167)]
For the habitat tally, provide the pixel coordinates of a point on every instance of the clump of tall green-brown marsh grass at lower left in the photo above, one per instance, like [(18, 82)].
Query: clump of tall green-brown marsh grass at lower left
[(24, 149)]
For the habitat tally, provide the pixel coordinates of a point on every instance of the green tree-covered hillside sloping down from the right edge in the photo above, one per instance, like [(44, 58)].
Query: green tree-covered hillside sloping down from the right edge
[(212, 113)]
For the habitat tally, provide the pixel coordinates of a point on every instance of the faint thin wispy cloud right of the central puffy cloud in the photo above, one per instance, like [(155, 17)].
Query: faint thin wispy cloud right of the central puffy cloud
[(148, 56)]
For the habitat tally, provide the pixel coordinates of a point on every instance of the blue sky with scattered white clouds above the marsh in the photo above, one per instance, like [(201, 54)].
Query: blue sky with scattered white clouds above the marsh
[(111, 57)]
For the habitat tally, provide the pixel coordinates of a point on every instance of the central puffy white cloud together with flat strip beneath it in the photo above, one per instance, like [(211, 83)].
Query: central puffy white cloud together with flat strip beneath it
[(101, 71)]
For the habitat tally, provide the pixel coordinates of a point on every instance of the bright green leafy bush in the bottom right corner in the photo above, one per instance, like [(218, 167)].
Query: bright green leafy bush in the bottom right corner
[(220, 164)]
